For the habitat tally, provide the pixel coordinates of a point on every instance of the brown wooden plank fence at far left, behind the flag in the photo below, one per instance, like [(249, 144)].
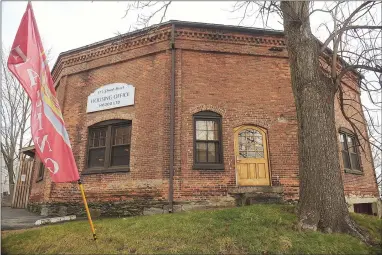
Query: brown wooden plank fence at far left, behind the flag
[(23, 184)]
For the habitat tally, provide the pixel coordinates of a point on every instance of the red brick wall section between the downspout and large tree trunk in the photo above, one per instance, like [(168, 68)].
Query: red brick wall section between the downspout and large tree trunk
[(245, 90)]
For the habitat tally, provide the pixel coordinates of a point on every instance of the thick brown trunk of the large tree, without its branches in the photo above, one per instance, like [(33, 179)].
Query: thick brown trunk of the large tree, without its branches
[(322, 201)]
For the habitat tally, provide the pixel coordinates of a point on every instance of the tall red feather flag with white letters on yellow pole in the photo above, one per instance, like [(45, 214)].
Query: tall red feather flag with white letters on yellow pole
[(27, 61)]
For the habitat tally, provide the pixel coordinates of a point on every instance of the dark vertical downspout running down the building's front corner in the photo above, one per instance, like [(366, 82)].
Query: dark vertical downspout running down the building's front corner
[(172, 122)]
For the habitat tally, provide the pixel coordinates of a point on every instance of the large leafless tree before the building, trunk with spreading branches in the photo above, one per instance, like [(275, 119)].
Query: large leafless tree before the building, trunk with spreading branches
[(351, 51)]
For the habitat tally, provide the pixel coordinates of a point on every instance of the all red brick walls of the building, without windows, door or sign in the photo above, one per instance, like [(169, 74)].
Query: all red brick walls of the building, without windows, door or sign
[(233, 74)]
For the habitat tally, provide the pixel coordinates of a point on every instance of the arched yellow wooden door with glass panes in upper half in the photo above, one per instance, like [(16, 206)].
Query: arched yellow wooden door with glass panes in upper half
[(251, 156)]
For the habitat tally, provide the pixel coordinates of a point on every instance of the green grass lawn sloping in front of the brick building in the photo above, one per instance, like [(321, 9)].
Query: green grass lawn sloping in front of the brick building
[(252, 229)]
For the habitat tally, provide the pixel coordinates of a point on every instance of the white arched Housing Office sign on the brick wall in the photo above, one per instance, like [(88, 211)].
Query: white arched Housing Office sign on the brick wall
[(111, 96)]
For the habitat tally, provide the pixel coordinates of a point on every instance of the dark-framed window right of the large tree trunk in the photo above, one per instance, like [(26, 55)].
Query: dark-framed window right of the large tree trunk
[(350, 152)]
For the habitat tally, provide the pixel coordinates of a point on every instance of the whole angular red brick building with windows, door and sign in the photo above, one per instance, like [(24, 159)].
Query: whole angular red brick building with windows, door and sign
[(219, 95)]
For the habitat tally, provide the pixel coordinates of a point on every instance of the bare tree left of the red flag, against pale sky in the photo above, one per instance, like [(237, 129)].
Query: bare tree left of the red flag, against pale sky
[(15, 113)]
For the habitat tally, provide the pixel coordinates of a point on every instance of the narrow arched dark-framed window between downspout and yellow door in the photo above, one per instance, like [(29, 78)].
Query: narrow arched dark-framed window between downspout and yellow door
[(208, 153)]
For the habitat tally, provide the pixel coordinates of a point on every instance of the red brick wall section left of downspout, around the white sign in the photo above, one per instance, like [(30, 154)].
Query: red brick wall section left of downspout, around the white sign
[(149, 115)]
